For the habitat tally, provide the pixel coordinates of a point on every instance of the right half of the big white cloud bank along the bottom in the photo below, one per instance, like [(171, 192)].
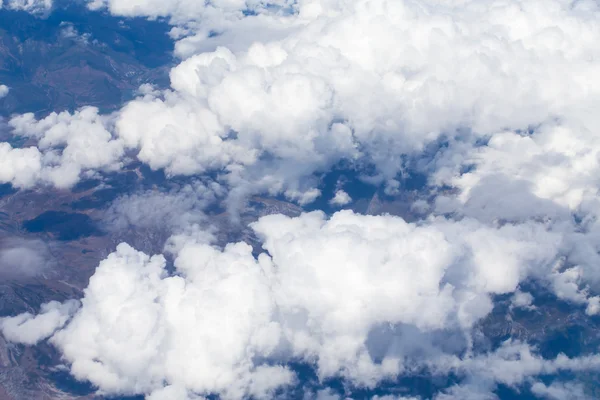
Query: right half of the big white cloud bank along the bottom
[(343, 275)]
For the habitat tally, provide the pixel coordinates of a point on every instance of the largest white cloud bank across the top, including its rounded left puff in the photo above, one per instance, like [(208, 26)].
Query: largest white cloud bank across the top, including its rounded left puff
[(369, 79)]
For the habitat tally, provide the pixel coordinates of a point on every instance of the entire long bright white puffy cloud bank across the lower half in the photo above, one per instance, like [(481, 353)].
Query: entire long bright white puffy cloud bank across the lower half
[(362, 297)]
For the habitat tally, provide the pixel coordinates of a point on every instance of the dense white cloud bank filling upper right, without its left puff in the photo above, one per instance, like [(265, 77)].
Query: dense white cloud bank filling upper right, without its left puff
[(335, 64)]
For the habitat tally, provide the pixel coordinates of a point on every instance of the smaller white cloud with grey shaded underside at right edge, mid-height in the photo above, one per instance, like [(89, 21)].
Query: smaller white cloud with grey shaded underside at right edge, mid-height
[(541, 173)]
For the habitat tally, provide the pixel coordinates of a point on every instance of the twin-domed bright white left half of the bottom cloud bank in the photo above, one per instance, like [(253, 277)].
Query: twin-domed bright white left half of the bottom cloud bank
[(138, 328)]
